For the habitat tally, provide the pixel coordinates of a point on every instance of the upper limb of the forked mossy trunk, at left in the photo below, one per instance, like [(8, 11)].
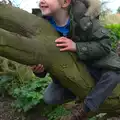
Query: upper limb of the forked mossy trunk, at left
[(16, 20)]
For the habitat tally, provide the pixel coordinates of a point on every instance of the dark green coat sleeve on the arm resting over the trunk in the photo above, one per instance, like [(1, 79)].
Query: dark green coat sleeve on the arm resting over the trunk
[(97, 46)]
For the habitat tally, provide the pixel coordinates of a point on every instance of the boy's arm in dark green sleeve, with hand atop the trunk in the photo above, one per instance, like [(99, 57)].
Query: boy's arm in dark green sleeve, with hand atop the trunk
[(92, 49)]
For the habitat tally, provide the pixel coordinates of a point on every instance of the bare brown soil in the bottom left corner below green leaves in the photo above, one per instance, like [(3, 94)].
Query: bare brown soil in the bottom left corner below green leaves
[(7, 112)]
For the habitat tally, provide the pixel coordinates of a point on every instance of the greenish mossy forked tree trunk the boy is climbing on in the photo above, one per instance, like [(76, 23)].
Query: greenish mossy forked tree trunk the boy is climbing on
[(29, 40)]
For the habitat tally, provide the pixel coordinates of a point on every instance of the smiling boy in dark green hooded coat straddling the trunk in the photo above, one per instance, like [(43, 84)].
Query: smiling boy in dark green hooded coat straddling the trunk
[(90, 42)]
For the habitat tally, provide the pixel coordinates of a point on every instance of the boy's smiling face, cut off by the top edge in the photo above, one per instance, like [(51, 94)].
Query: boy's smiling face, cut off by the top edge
[(49, 7)]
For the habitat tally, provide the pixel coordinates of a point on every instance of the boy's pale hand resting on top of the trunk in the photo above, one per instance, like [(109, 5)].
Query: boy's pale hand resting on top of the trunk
[(65, 44)]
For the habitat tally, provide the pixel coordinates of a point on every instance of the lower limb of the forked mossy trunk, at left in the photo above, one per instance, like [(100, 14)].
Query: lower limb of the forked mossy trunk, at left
[(15, 46)]
